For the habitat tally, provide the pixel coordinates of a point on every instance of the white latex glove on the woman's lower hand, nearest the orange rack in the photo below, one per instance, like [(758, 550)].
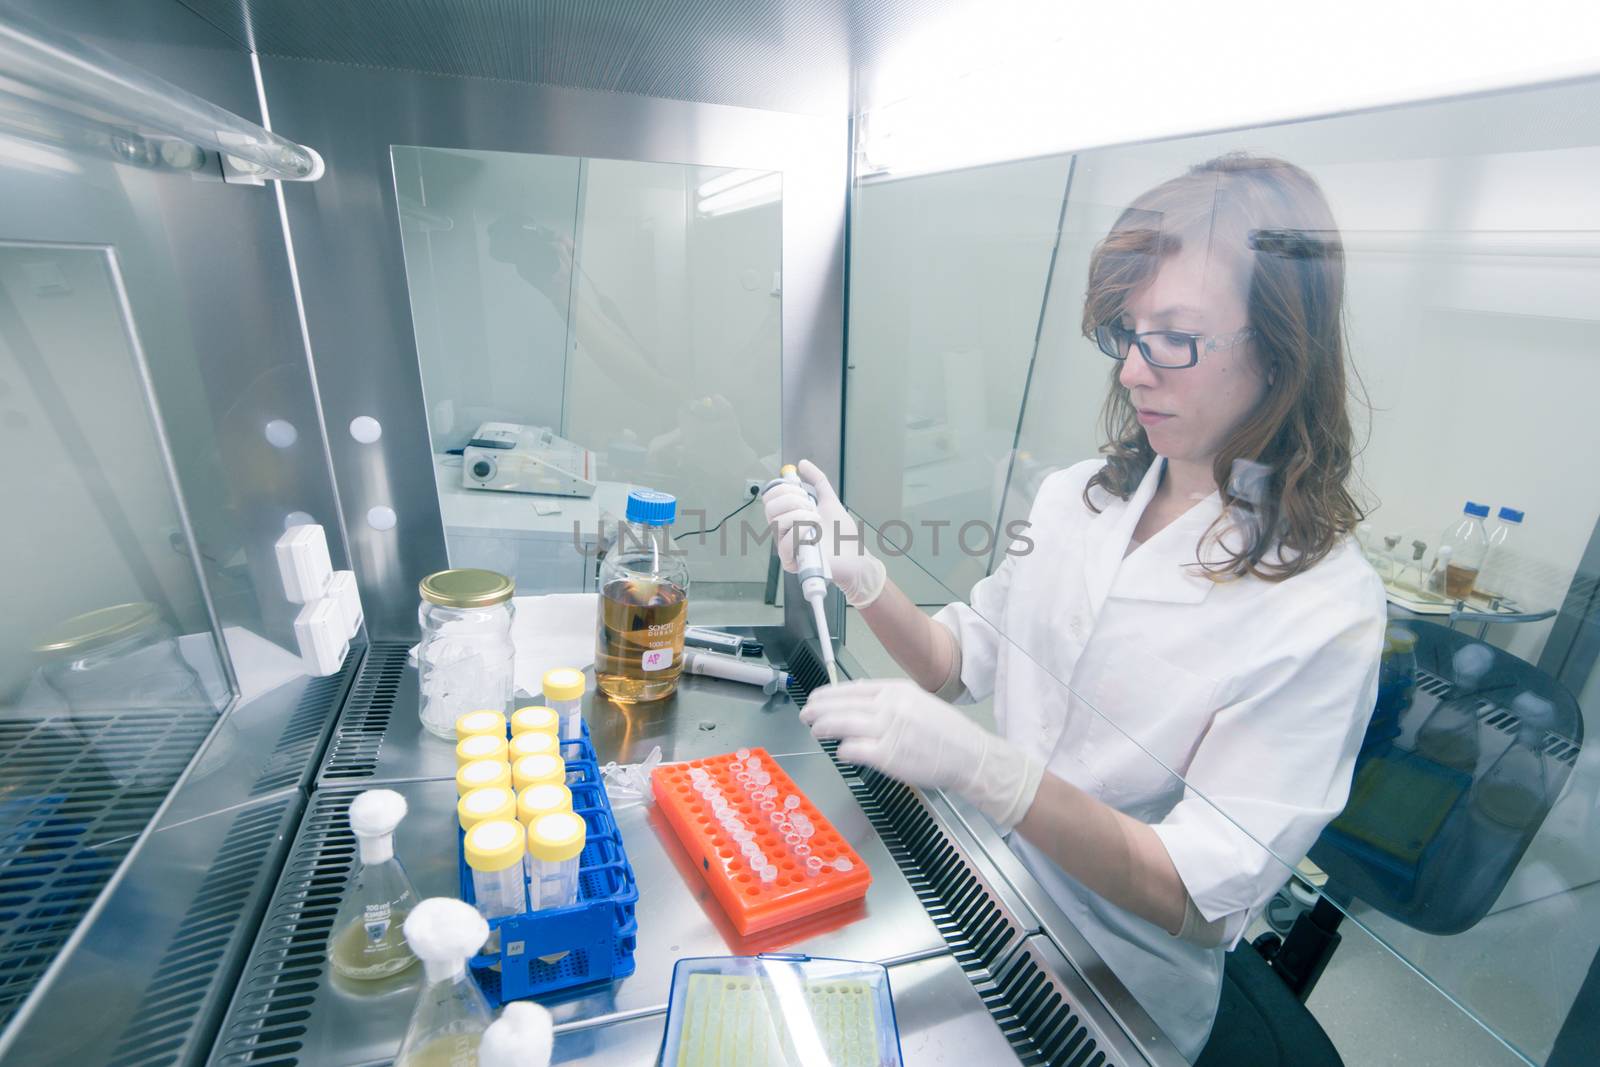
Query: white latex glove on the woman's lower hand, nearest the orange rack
[(914, 737)]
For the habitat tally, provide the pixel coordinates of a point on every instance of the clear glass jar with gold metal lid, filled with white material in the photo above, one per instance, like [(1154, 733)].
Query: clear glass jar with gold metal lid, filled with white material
[(466, 658)]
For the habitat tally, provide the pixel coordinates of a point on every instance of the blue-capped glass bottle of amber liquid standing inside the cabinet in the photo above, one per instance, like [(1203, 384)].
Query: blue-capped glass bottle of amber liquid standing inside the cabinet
[(644, 605)]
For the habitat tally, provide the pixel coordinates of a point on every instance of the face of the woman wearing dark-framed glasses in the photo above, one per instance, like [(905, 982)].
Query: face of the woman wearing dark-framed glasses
[(1188, 414)]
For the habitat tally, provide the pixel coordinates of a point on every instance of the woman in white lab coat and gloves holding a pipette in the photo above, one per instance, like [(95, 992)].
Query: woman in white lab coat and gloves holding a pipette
[(1185, 658)]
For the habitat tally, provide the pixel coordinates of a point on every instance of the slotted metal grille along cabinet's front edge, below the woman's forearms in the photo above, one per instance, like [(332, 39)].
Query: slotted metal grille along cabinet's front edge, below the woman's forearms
[(985, 941)]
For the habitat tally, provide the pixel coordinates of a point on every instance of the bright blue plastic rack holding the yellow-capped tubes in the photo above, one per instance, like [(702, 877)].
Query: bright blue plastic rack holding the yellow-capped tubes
[(593, 940)]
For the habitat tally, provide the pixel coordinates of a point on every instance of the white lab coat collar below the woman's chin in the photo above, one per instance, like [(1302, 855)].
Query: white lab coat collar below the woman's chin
[(1162, 569)]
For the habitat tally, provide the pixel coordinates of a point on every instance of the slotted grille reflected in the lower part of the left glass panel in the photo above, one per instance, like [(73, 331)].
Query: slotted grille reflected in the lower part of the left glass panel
[(74, 796)]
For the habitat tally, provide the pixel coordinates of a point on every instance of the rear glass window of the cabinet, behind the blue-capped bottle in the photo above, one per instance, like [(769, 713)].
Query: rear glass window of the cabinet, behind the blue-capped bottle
[(620, 326)]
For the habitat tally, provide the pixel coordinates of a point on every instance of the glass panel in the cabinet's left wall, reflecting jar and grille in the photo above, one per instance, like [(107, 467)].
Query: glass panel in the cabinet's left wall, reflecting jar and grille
[(111, 676)]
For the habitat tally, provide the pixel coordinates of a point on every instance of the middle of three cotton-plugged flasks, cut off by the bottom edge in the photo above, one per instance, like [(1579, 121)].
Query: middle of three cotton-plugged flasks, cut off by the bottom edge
[(452, 1015)]
